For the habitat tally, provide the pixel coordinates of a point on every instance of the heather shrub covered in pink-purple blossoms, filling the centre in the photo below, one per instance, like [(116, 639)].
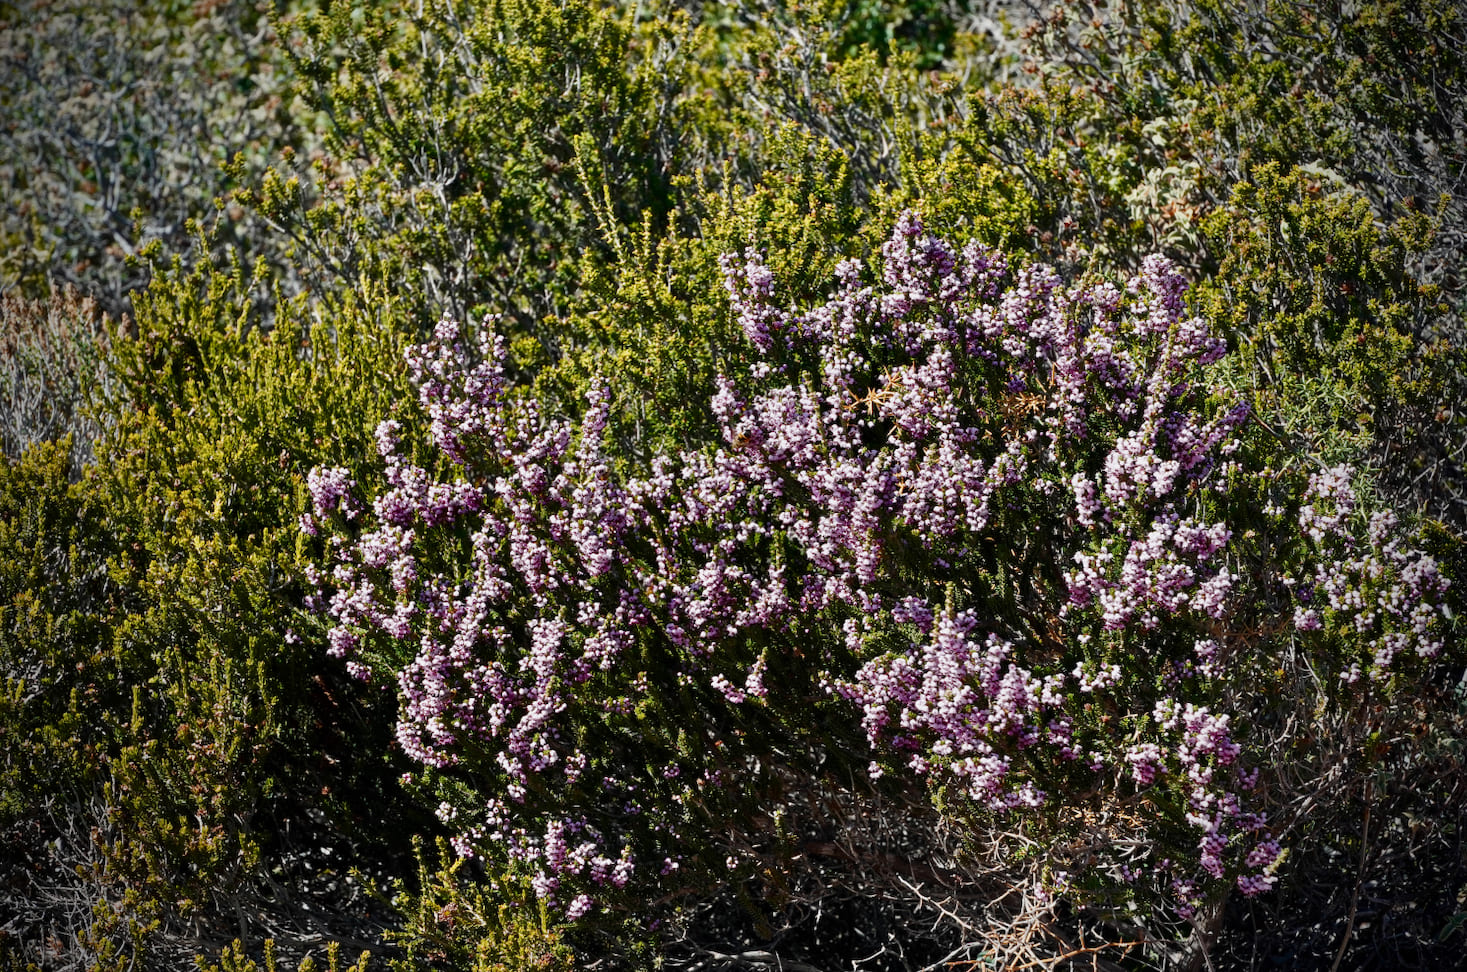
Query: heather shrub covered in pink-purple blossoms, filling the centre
[(987, 520)]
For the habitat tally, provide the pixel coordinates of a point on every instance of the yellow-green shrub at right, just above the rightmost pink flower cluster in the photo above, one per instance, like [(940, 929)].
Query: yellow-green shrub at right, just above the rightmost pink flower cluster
[(1324, 298)]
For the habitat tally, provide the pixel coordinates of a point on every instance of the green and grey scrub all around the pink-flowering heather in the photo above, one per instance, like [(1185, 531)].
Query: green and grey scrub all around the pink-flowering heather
[(222, 225)]
